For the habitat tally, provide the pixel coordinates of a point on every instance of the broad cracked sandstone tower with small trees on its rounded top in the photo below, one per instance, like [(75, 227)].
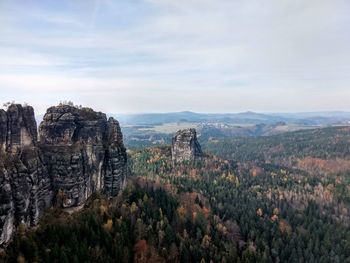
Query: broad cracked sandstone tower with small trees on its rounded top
[(84, 153)]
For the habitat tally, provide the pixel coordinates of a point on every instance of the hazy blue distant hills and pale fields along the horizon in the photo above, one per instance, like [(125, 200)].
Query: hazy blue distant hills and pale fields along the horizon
[(156, 128)]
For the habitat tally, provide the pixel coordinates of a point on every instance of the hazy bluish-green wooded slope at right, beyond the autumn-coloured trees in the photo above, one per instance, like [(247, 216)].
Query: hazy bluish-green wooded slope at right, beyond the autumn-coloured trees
[(325, 143)]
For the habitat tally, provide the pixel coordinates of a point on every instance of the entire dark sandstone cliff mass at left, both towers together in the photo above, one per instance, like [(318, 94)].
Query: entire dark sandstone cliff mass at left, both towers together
[(78, 153)]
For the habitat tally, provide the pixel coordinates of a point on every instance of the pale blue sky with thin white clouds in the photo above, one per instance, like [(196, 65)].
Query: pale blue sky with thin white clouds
[(127, 56)]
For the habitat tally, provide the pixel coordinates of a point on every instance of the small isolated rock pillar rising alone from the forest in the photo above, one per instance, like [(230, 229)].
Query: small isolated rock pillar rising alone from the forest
[(185, 146)]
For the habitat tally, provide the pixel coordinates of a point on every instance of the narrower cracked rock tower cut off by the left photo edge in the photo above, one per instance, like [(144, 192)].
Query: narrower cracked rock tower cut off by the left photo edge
[(25, 188)]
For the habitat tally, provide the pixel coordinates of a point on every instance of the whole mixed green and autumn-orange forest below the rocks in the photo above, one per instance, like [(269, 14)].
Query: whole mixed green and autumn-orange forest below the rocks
[(259, 206)]
